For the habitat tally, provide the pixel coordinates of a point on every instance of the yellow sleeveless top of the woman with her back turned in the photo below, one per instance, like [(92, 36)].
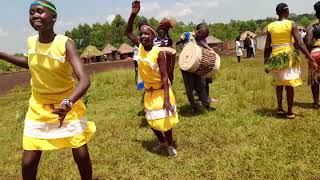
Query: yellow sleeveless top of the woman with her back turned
[(281, 37)]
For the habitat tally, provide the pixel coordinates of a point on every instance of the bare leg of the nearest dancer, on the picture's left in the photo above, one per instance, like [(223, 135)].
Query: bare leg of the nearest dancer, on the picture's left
[(30, 162)]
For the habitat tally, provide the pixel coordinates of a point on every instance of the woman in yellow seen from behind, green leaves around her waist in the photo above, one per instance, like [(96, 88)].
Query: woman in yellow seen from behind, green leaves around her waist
[(284, 62)]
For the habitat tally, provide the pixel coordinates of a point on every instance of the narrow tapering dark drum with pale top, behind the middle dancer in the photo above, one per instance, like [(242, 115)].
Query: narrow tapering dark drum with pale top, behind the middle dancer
[(171, 60)]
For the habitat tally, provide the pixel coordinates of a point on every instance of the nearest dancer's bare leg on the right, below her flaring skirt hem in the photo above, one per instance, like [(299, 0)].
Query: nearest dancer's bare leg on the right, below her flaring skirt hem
[(82, 158)]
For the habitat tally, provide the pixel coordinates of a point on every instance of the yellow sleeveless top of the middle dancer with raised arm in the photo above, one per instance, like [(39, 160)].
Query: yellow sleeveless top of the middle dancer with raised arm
[(149, 68)]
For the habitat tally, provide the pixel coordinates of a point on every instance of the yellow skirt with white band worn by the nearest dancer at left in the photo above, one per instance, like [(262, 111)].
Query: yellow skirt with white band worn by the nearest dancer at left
[(42, 132)]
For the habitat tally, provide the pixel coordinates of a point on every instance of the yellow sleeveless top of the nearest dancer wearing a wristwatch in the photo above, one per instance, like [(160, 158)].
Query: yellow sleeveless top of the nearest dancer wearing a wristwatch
[(51, 72)]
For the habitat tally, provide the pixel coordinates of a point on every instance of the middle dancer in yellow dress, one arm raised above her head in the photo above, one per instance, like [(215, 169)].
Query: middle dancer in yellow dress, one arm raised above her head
[(159, 101)]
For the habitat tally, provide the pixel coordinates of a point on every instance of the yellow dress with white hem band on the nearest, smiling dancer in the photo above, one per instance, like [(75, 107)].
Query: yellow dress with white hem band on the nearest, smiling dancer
[(51, 82)]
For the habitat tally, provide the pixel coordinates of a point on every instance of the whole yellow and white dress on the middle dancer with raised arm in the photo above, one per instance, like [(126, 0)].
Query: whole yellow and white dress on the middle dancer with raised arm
[(156, 116)]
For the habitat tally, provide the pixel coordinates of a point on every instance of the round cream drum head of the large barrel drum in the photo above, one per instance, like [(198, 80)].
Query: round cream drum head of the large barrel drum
[(190, 57)]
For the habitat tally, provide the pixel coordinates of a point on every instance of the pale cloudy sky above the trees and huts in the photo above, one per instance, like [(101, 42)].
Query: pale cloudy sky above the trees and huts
[(15, 27)]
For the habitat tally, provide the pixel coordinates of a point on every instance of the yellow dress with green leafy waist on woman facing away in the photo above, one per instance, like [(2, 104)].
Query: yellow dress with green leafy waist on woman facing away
[(286, 72)]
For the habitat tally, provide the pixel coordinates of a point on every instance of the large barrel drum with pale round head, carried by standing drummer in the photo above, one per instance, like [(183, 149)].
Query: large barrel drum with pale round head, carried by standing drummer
[(201, 61)]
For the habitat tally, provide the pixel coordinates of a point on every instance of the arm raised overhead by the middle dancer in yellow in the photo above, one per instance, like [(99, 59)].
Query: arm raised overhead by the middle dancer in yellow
[(129, 30)]
